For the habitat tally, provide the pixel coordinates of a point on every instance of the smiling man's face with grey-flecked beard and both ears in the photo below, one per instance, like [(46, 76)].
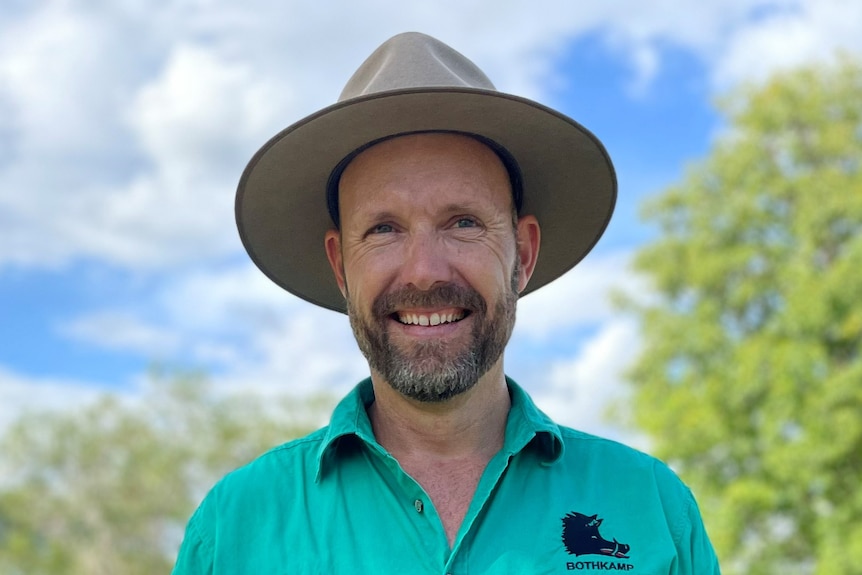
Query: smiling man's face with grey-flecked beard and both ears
[(430, 262)]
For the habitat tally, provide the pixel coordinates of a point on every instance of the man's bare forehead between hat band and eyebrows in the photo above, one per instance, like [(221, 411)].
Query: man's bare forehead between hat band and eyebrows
[(444, 166)]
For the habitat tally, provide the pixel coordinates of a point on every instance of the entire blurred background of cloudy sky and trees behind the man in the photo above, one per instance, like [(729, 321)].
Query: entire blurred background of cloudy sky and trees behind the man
[(716, 325)]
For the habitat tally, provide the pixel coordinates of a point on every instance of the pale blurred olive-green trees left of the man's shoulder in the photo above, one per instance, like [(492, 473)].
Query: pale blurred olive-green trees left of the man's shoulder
[(107, 490)]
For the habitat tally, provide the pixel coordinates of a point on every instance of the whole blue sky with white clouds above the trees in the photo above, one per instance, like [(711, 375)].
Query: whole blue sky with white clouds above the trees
[(125, 125)]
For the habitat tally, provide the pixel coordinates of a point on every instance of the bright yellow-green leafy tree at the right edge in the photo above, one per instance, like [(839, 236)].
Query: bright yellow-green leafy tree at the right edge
[(750, 380)]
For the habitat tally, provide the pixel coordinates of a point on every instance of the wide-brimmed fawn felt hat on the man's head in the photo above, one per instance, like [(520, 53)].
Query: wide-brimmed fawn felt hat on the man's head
[(414, 83)]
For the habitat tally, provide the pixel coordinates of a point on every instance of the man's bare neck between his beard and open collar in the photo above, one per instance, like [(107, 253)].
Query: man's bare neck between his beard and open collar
[(469, 426)]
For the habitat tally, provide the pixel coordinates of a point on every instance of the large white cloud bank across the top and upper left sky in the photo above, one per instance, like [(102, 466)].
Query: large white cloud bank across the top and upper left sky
[(129, 126)]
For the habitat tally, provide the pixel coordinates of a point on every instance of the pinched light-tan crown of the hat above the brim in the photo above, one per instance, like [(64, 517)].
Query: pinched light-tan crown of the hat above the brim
[(414, 60)]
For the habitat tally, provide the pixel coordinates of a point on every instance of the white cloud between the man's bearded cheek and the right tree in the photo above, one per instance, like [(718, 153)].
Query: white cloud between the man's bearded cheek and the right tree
[(577, 384)]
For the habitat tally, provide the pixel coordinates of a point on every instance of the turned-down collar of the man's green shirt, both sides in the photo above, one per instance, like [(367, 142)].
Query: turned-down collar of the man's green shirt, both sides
[(526, 426)]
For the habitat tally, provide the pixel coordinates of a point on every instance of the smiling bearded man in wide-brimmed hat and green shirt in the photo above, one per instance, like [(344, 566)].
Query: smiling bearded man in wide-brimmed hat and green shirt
[(418, 204)]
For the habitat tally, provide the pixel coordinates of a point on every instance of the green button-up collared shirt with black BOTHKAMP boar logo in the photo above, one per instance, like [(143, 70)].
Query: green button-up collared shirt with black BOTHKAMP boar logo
[(553, 500)]
